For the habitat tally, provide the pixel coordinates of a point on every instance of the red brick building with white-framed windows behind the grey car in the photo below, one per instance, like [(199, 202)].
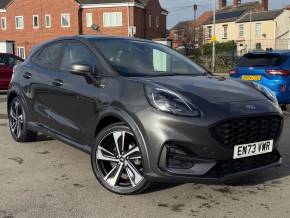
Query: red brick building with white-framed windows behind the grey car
[(25, 23)]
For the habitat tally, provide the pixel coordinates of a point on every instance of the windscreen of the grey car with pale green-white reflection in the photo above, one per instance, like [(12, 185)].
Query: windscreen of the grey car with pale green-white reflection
[(137, 58)]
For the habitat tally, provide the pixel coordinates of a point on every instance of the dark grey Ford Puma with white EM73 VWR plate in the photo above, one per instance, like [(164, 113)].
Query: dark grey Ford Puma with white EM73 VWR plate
[(144, 112)]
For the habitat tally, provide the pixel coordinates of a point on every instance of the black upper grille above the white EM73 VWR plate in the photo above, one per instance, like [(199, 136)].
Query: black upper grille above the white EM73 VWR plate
[(247, 130)]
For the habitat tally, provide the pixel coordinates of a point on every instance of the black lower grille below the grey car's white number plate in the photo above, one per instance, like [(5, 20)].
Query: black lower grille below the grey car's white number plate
[(227, 167)]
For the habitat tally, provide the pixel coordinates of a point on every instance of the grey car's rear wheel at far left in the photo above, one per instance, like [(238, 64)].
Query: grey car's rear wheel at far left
[(17, 122)]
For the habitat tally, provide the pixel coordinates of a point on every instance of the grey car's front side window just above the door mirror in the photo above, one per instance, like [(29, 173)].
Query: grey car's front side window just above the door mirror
[(76, 53)]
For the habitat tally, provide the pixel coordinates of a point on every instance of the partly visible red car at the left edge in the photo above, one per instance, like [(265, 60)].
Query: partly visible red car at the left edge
[(7, 62)]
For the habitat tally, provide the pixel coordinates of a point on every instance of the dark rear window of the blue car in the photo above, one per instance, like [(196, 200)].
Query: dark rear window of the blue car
[(261, 60)]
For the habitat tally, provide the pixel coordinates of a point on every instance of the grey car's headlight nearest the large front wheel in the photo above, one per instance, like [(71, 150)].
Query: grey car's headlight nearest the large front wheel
[(168, 101)]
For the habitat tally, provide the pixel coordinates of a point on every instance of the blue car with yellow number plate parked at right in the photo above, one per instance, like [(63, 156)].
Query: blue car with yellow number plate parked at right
[(271, 69)]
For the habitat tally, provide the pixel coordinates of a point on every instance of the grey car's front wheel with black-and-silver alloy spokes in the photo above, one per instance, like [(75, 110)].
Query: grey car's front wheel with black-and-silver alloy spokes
[(117, 160)]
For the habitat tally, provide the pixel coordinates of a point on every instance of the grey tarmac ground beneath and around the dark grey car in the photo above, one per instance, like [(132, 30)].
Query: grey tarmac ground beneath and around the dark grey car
[(50, 179)]
